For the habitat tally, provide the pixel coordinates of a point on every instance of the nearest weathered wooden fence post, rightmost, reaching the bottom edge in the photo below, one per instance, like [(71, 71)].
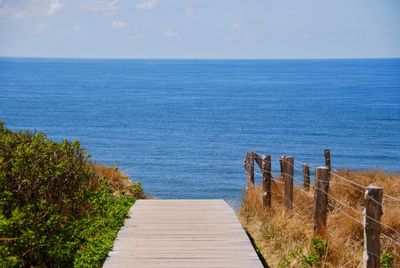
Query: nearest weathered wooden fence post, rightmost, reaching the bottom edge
[(372, 226)]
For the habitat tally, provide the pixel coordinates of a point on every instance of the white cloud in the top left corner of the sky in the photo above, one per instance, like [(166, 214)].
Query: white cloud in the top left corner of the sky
[(30, 8)]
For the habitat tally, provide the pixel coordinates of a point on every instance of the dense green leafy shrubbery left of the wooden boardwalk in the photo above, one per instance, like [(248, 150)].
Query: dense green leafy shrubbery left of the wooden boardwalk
[(56, 208)]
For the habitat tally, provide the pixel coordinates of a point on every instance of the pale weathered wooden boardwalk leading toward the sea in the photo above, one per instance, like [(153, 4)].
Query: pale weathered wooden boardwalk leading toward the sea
[(182, 233)]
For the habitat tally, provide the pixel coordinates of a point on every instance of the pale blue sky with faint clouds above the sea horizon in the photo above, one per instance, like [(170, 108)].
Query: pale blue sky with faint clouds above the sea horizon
[(200, 29)]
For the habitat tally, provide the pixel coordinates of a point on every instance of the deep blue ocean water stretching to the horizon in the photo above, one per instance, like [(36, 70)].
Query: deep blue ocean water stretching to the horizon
[(182, 127)]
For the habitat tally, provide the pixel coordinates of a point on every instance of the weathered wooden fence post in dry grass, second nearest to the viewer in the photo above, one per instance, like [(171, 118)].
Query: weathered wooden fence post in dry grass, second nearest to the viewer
[(321, 200)]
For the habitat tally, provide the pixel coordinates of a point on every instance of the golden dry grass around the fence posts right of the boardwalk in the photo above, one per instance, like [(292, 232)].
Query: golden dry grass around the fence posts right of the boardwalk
[(284, 238)]
